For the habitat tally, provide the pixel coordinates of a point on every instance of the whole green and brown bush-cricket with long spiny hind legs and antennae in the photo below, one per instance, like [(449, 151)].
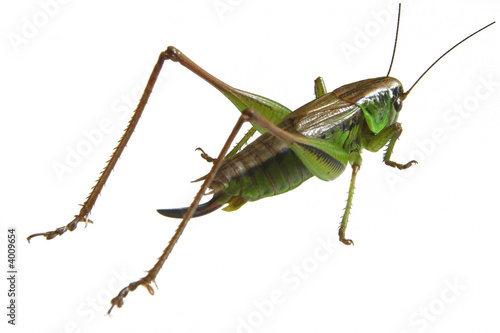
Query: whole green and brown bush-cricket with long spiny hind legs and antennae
[(318, 139)]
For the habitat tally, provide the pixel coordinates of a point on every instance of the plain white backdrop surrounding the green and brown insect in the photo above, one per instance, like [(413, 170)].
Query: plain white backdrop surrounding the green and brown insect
[(437, 226)]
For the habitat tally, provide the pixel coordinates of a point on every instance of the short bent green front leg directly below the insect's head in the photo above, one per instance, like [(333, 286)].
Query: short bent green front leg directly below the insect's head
[(389, 135)]
